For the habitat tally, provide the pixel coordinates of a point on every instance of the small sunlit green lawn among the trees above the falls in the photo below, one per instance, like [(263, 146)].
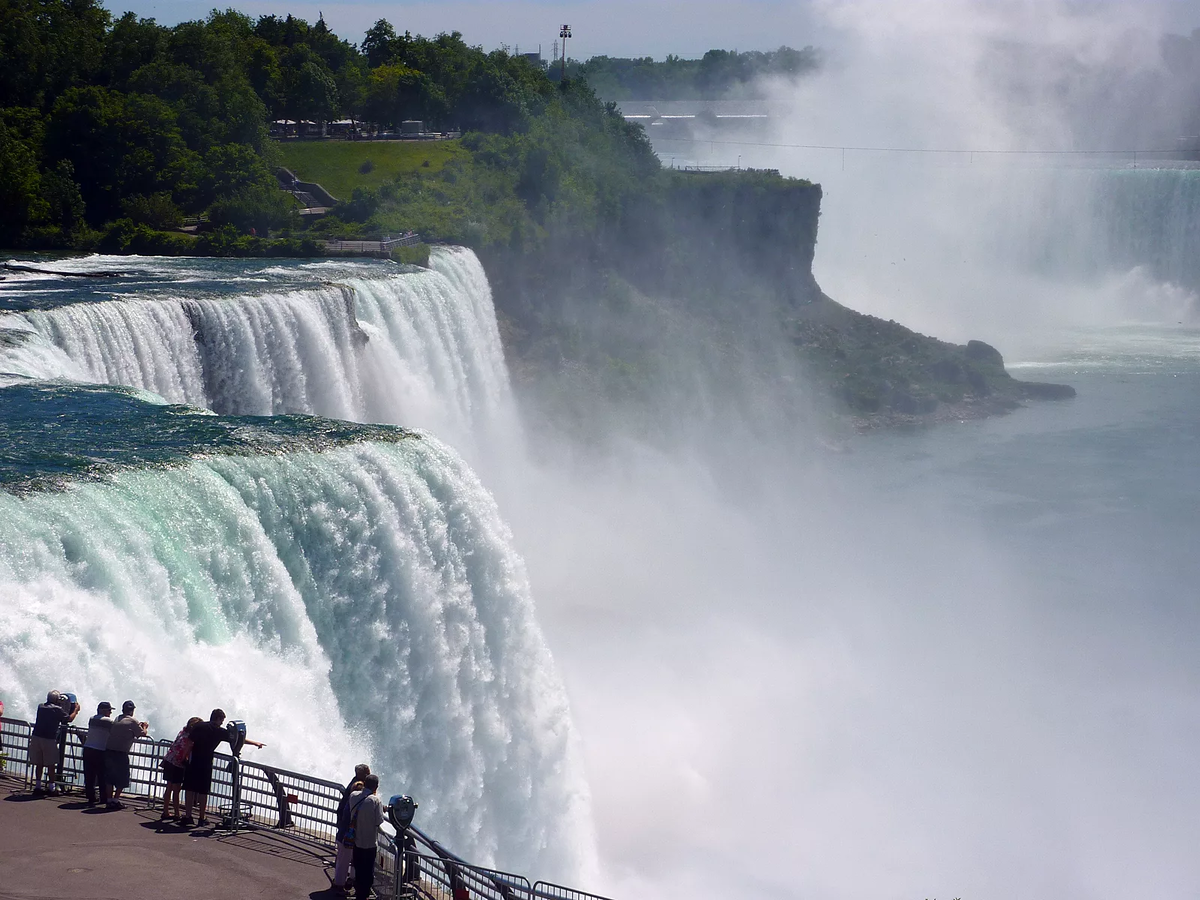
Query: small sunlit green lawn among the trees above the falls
[(337, 165)]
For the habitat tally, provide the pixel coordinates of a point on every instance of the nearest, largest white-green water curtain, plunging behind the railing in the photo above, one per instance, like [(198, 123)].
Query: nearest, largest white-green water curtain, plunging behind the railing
[(357, 603)]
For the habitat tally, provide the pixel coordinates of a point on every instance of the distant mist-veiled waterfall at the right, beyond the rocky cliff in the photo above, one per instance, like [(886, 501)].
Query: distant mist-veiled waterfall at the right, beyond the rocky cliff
[(1007, 251)]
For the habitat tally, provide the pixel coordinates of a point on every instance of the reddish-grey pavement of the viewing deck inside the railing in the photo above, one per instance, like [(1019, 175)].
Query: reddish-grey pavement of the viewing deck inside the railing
[(56, 848)]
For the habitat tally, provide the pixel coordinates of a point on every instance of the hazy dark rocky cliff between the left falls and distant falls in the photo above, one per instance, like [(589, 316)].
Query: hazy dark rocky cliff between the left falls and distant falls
[(725, 262)]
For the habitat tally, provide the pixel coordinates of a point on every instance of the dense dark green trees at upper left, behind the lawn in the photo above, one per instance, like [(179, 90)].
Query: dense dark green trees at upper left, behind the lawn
[(125, 121)]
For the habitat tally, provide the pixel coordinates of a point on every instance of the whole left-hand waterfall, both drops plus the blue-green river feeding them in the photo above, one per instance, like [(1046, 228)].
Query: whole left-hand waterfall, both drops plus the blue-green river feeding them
[(349, 590)]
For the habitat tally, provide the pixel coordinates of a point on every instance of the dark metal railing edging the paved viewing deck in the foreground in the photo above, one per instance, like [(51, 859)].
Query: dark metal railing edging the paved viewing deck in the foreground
[(254, 796)]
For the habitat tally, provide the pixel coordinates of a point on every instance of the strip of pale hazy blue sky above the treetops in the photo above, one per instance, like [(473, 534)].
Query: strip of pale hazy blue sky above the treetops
[(625, 28)]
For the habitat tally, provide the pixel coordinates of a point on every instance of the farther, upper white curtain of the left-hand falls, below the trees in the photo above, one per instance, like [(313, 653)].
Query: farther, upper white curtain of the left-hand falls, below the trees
[(419, 350)]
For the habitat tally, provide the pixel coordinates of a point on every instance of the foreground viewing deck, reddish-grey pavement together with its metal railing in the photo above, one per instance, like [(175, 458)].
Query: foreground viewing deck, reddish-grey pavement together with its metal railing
[(272, 837)]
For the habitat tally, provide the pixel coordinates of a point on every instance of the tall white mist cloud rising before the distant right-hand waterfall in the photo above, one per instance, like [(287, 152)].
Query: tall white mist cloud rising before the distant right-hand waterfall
[(934, 213)]
